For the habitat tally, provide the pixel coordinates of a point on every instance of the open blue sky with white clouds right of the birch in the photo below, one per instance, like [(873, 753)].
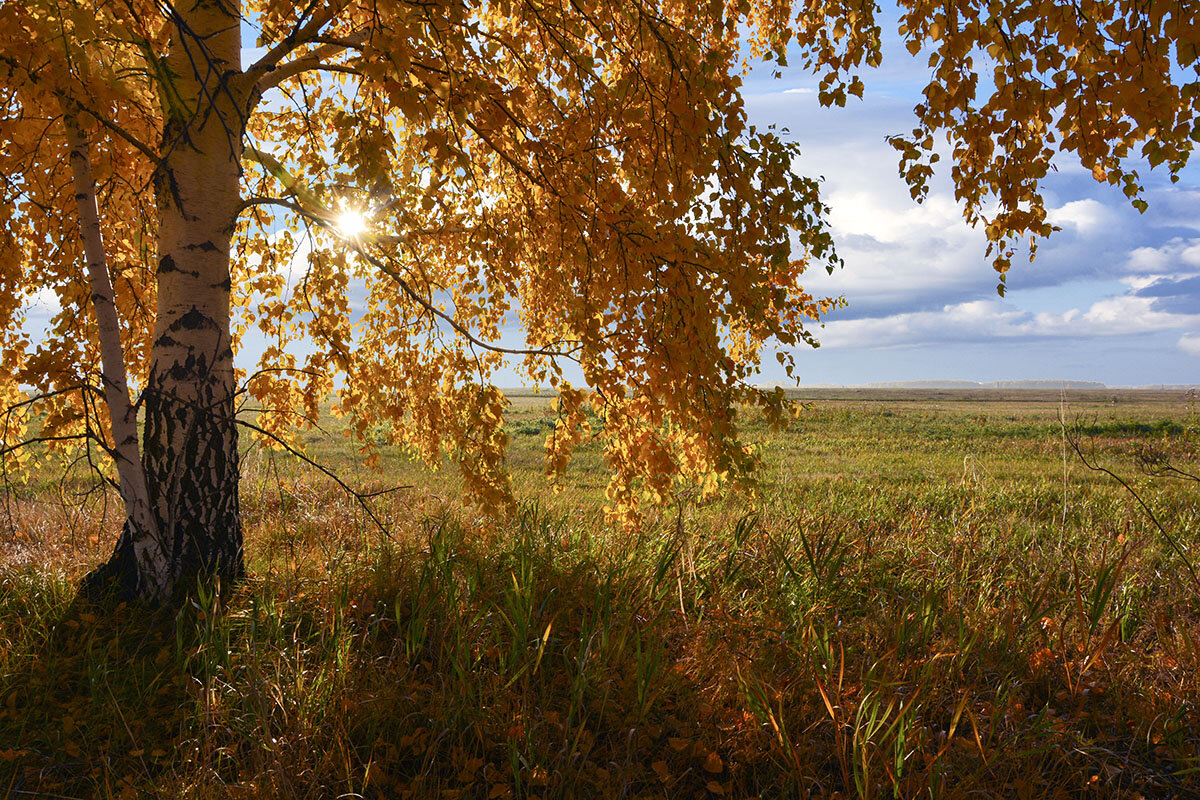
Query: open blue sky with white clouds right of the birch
[(1114, 297)]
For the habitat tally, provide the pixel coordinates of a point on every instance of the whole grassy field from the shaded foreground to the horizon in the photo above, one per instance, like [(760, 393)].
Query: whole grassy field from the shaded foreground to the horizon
[(934, 598)]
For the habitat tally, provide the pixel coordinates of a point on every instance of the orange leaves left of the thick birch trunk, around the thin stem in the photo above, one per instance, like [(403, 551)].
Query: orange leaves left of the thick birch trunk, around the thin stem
[(56, 56)]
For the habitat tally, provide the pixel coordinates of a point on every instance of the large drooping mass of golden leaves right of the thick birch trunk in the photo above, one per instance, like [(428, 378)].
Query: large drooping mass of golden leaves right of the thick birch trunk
[(589, 176)]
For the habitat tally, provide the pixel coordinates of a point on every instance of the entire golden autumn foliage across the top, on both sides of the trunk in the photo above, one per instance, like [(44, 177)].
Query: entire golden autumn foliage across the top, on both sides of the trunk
[(583, 169)]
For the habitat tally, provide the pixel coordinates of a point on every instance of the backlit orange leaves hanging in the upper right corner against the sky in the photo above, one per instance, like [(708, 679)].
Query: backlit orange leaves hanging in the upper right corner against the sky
[(1017, 83)]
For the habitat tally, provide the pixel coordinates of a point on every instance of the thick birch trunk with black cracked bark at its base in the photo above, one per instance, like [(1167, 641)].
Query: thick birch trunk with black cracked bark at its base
[(190, 441)]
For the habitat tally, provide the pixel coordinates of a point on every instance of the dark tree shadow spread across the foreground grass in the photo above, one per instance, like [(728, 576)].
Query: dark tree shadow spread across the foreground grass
[(539, 660)]
